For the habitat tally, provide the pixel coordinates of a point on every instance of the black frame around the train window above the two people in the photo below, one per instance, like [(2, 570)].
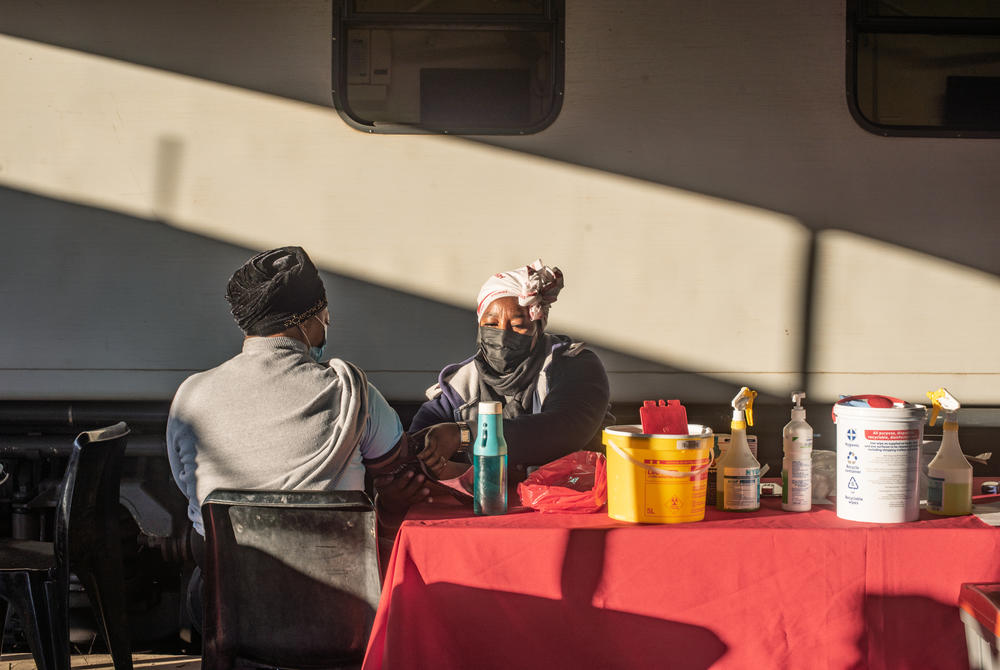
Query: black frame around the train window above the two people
[(344, 18)]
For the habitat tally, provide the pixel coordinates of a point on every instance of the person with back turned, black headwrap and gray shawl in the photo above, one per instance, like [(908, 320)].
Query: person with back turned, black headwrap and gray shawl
[(273, 416)]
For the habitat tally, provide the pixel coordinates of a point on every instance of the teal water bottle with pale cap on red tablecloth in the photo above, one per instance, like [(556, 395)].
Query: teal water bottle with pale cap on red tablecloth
[(489, 462)]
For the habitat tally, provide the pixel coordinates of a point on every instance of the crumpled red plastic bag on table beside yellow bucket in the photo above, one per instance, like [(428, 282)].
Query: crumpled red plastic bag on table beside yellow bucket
[(577, 482)]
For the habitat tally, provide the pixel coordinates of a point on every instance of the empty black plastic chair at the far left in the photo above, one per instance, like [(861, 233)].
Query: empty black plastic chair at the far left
[(34, 576)]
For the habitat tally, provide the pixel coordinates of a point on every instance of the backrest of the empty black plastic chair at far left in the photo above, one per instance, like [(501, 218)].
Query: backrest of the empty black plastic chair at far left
[(87, 513)]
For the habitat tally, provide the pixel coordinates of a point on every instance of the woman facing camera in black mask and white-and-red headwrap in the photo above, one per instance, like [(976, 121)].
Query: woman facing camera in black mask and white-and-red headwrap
[(554, 391)]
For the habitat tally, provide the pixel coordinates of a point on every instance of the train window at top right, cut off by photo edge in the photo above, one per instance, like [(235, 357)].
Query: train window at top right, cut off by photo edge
[(925, 67)]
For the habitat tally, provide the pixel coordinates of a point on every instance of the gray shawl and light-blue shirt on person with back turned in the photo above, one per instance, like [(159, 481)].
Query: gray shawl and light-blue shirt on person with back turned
[(273, 418)]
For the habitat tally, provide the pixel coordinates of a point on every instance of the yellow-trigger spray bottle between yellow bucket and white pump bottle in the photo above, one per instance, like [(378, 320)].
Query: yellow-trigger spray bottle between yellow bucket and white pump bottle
[(738, 473)]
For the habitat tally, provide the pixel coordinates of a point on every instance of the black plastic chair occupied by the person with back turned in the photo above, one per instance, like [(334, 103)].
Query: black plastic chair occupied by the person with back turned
[(291, 578)]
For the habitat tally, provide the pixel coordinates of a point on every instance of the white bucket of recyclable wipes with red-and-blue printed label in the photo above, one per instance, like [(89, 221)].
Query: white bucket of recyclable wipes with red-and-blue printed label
[(878, 461)]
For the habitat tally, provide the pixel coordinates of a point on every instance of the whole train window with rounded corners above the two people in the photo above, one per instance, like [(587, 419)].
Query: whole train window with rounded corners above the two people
[(449, 66)]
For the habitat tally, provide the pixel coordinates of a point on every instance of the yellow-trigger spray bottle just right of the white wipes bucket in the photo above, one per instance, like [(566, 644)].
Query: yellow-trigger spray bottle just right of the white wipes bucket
[(949, 475)]
